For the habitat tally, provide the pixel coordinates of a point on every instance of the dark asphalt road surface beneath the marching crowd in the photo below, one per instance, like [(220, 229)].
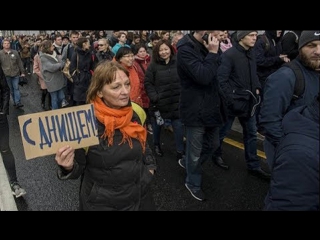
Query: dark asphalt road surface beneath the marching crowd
[(231, 190)]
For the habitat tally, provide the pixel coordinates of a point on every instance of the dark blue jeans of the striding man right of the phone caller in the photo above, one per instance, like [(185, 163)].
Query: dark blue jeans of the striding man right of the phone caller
[(249, 130)]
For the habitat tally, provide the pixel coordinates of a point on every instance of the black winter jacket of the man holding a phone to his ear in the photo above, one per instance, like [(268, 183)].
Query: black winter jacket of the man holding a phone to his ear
[(200, 102)]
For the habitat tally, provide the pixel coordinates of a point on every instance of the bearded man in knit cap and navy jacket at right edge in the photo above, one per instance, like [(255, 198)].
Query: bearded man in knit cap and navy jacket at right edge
[(280, 95)]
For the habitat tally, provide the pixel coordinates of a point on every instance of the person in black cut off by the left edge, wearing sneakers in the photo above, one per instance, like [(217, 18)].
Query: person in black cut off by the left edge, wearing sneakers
[(6, 153)]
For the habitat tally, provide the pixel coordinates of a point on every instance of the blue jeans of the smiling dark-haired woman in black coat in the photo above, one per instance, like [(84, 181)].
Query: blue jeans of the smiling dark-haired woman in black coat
[(177, 131)]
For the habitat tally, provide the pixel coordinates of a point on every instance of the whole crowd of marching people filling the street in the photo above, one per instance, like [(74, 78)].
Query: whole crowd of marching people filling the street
[(197, 82)]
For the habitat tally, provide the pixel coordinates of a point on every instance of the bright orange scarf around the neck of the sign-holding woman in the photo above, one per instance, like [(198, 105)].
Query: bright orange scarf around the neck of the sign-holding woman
[(119, 119)]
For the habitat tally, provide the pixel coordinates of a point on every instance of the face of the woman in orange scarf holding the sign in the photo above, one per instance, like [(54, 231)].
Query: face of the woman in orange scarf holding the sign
[(116, 94)]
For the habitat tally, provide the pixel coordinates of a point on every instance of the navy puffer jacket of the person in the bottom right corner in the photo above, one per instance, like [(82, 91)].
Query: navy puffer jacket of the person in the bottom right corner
[(294, 184)]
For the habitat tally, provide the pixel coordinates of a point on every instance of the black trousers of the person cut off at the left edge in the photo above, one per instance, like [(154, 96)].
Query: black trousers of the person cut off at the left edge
[(6, 153)]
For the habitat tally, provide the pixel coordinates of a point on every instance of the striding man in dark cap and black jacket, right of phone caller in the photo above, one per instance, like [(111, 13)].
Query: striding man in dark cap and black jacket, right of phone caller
[(237, 76)]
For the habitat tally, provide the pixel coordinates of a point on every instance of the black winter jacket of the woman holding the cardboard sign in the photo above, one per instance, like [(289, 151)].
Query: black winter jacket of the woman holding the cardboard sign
[(113, 177)]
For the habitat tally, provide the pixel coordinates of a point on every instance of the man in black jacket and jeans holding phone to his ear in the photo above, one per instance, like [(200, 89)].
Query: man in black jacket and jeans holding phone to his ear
[(200, 105)]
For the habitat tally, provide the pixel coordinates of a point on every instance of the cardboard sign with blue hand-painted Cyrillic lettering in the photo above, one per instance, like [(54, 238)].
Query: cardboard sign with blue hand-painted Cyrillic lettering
[(44, 133)]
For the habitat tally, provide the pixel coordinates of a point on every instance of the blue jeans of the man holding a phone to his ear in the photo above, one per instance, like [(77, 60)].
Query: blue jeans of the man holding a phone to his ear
[(201, 143)]
